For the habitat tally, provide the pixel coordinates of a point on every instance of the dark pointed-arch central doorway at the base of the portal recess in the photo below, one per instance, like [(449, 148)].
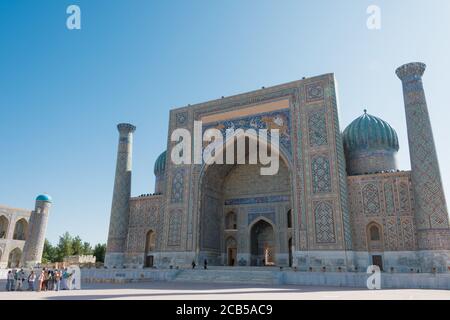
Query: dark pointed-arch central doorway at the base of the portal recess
[(262, 244)]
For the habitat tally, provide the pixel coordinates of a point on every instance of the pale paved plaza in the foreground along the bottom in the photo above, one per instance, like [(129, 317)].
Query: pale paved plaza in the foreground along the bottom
[(202, 291)]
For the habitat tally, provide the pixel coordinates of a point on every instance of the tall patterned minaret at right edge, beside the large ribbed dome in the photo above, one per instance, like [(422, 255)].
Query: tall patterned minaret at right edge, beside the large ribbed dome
[(431, 213)]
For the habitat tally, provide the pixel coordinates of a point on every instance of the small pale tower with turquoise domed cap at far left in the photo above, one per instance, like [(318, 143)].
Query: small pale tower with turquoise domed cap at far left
[(34, 244)]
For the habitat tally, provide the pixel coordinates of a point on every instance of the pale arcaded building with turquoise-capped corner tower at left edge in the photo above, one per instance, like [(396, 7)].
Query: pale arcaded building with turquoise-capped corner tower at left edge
[(22, 234)]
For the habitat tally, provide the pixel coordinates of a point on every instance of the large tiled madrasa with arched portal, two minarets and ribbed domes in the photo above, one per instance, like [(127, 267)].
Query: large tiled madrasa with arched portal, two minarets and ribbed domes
[(338, 202)]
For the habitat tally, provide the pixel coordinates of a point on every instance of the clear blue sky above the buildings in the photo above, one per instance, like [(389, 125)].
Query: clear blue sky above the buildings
[(63, 92)]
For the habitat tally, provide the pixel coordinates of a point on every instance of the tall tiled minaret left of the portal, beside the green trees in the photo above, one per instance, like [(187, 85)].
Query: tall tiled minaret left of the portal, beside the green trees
[(118, 224)]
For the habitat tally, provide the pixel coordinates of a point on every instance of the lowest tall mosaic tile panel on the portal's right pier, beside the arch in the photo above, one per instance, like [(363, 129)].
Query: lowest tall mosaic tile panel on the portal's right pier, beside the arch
[(324, 222)]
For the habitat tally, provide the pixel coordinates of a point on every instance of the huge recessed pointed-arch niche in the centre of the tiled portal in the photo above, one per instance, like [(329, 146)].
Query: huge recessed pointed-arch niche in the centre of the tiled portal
[(240, 210)]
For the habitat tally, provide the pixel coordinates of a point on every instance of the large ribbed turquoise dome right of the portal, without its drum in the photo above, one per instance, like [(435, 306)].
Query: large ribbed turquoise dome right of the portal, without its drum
[(369, 133)]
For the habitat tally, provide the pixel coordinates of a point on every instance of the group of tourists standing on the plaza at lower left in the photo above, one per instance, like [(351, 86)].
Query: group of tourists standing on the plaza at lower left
[(43, 280)]
